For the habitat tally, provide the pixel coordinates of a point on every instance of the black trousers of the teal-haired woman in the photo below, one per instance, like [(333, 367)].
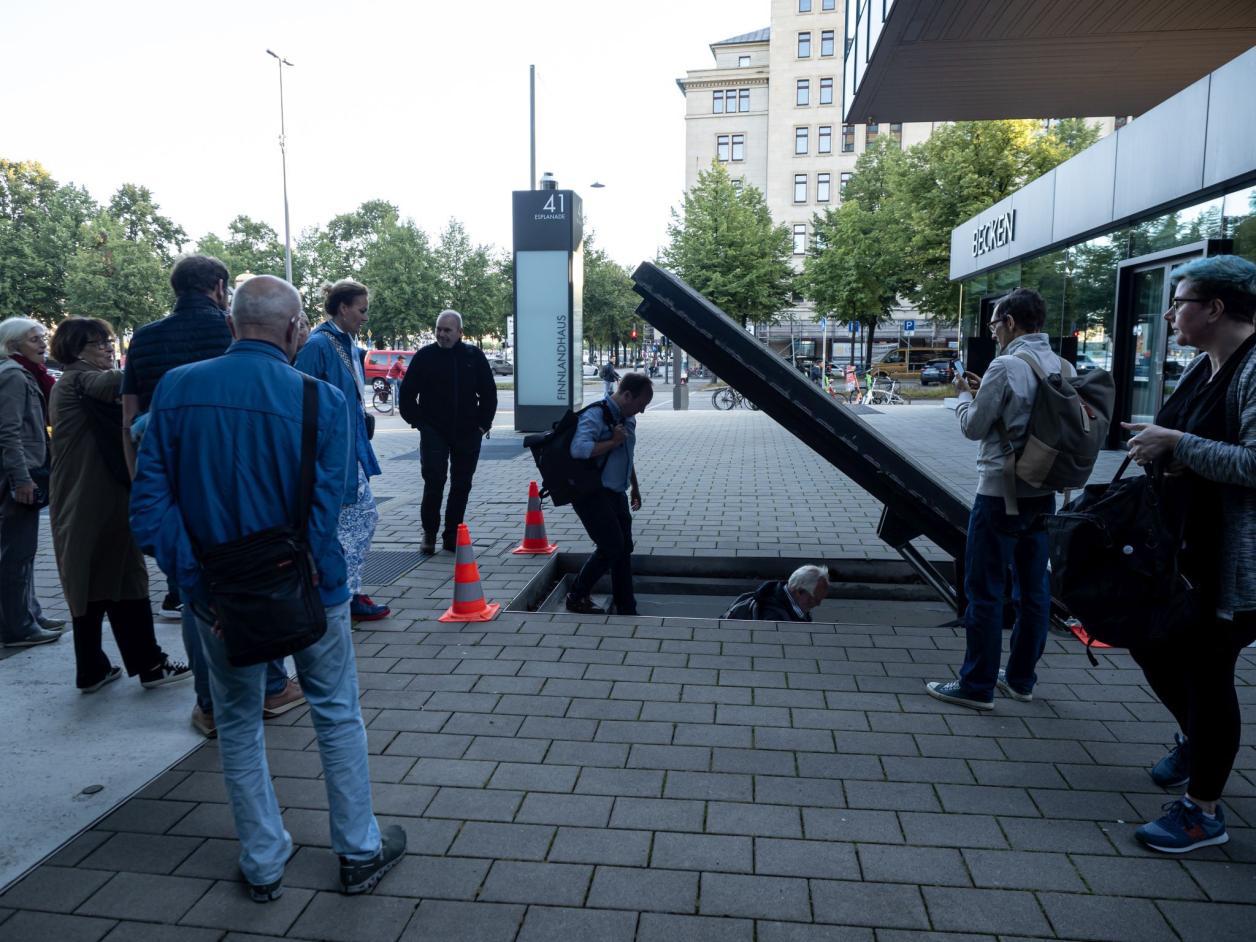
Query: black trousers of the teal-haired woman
[(1196, 681)]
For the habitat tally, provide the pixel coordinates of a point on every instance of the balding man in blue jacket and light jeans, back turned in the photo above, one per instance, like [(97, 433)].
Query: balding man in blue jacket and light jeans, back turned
[(247, 406)]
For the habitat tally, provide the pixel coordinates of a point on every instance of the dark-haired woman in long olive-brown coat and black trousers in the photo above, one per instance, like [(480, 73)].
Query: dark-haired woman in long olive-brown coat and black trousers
[(102, 570)]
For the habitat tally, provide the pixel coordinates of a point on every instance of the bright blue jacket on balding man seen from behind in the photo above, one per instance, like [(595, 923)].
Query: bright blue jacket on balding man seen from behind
[(222, 460)]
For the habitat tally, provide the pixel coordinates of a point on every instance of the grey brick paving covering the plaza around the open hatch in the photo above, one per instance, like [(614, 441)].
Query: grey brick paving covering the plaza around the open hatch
[(671, 779)]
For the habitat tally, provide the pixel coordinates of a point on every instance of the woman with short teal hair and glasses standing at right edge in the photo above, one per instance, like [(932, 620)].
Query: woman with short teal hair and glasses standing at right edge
[(1204, 441)]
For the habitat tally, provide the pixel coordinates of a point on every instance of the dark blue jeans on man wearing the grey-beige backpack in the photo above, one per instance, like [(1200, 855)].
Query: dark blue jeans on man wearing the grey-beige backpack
[(998, 544)]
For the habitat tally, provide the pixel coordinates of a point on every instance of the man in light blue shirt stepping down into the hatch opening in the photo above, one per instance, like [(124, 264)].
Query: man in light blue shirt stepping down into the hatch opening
[(610, 434)]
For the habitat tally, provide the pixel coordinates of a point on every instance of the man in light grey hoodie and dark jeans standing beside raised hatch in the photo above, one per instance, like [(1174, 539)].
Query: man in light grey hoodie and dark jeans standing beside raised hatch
[(1005, 529)]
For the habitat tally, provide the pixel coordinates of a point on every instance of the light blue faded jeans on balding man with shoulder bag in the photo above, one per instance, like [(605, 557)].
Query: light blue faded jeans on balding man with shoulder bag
[(330, 679)]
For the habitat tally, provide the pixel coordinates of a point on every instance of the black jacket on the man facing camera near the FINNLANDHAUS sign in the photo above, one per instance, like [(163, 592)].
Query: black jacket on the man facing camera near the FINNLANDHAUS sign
[(452, 392)]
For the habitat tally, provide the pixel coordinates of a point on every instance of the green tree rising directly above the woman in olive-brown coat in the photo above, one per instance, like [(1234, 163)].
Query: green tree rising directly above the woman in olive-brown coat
[(119, 279)]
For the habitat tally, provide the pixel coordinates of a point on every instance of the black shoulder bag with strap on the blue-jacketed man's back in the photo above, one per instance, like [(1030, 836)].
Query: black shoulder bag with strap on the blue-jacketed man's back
[(264, 587)]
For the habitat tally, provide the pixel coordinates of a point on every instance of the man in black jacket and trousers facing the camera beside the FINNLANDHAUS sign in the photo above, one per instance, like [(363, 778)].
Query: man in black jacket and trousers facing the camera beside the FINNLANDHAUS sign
[(450, 396)]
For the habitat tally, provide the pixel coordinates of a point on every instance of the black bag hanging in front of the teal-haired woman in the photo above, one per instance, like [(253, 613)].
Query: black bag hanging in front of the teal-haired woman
[(1115, 565)]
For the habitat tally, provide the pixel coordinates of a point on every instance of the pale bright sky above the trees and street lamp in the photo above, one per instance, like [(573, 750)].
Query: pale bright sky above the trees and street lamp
[(424, 105)]
